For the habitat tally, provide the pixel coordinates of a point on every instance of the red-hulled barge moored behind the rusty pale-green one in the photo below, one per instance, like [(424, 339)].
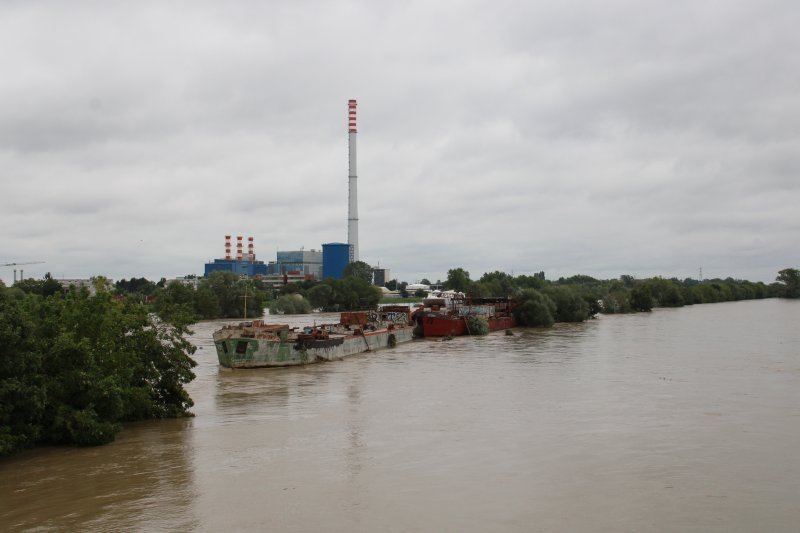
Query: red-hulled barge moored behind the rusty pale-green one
[(447, 314)]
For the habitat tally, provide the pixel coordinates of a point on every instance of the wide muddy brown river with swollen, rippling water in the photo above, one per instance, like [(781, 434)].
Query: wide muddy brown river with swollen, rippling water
[(676, 420)]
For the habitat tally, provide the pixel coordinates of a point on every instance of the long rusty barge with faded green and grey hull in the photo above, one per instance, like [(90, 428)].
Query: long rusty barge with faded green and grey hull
[(255, 344)]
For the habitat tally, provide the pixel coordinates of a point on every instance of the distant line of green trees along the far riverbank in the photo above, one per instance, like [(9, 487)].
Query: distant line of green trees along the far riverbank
[(225, 295)]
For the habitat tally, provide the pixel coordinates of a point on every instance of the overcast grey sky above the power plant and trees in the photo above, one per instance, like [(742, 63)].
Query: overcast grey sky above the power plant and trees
[(570, 137)]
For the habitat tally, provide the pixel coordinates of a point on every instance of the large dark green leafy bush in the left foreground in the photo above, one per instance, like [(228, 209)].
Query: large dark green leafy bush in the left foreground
[(74, 367)]
